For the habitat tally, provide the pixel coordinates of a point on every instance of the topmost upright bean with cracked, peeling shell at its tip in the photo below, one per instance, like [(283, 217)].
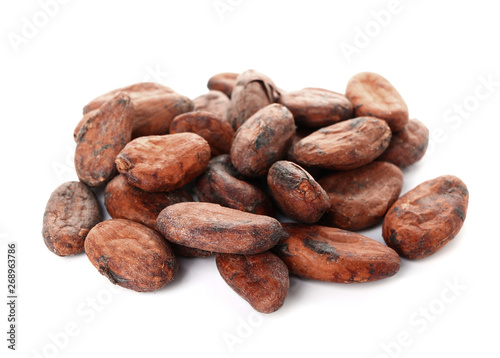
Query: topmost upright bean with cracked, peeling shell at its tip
[(252, 92)]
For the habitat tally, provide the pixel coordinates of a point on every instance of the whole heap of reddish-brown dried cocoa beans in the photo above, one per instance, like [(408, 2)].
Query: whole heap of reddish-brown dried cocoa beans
[(272, 182)]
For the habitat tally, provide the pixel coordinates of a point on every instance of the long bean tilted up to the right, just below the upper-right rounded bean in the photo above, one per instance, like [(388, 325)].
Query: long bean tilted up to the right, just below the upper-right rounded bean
[(345, 145)]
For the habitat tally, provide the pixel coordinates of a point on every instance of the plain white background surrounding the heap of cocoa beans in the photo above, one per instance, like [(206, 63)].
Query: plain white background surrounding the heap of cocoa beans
[(437, 54)]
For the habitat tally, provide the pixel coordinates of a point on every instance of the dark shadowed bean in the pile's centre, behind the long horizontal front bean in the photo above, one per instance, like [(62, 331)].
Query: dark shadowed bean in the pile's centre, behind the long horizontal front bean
[(222, 184)]
